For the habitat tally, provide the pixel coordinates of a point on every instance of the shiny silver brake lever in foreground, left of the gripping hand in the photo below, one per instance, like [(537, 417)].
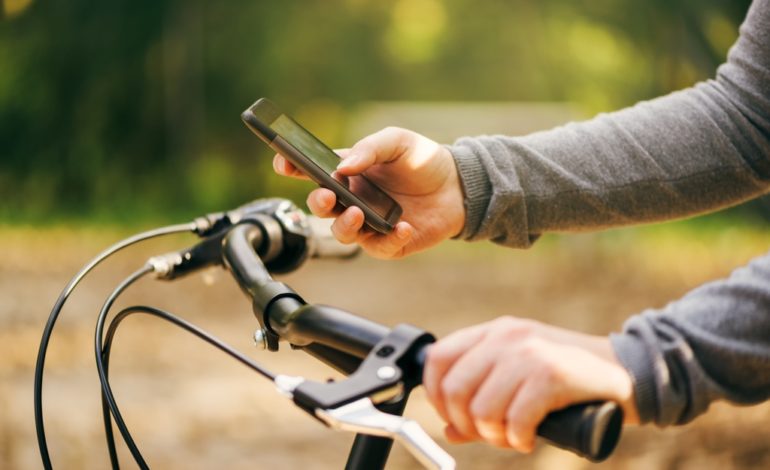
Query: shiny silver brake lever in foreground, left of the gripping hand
[(361, 416)]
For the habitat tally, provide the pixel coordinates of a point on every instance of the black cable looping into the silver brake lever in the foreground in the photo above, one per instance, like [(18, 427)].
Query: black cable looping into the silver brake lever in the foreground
[(109, 405)]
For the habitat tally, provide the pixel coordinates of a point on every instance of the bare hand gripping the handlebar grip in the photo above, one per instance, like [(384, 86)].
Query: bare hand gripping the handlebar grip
[(498, 380)]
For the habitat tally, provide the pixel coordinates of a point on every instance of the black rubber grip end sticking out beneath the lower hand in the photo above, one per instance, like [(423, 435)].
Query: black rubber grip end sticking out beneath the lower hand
[(591, 430)]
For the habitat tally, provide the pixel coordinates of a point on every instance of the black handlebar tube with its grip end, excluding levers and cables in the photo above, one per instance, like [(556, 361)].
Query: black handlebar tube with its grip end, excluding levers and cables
[(342, 339)]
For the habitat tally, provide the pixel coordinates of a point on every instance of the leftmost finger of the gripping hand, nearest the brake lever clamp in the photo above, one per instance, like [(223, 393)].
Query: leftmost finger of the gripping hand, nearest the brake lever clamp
[(440, 358)]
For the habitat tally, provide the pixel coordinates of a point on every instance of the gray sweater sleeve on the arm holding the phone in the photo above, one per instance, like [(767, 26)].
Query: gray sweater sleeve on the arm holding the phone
[(692, 151)]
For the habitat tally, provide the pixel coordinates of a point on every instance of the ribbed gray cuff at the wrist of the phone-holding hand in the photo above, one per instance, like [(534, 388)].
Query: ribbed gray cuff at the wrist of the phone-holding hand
[(477, 189)]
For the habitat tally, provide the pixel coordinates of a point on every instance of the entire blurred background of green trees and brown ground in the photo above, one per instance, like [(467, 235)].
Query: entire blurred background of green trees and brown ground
[(118, 116)]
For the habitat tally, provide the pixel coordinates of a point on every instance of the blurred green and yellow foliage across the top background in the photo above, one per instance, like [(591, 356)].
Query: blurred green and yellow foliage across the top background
[(124, 109)]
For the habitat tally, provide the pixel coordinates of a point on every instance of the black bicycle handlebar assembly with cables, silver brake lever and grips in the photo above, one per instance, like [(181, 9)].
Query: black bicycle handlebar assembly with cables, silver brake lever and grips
[(382, 365)]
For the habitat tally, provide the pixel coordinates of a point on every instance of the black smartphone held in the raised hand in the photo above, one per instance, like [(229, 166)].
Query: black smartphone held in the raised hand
[(284, 135)]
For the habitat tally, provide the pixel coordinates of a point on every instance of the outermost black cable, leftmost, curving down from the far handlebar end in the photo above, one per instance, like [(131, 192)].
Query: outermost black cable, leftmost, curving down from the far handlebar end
[(54, 315)]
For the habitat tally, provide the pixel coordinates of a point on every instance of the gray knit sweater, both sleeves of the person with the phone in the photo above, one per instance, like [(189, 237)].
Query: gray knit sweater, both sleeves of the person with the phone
[(690, 152)]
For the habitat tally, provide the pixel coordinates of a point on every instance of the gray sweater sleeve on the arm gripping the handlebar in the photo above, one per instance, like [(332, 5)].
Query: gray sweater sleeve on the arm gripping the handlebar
[(712, 344)]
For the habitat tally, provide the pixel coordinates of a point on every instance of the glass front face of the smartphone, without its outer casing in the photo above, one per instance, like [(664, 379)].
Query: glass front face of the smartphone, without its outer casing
[(327, 160)]
